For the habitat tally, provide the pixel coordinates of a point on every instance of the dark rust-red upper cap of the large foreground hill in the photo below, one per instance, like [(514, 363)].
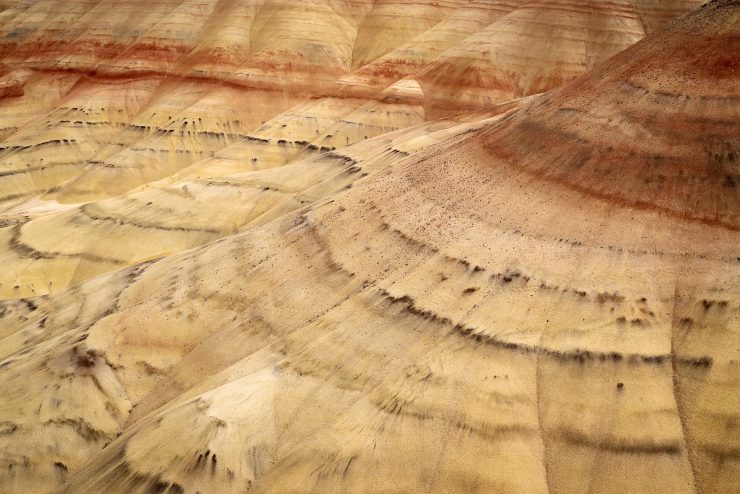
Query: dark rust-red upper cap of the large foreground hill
[(655, 127)]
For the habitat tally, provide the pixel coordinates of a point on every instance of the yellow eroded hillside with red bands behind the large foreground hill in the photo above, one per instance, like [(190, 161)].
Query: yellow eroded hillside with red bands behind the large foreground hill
[(109, 100)]
